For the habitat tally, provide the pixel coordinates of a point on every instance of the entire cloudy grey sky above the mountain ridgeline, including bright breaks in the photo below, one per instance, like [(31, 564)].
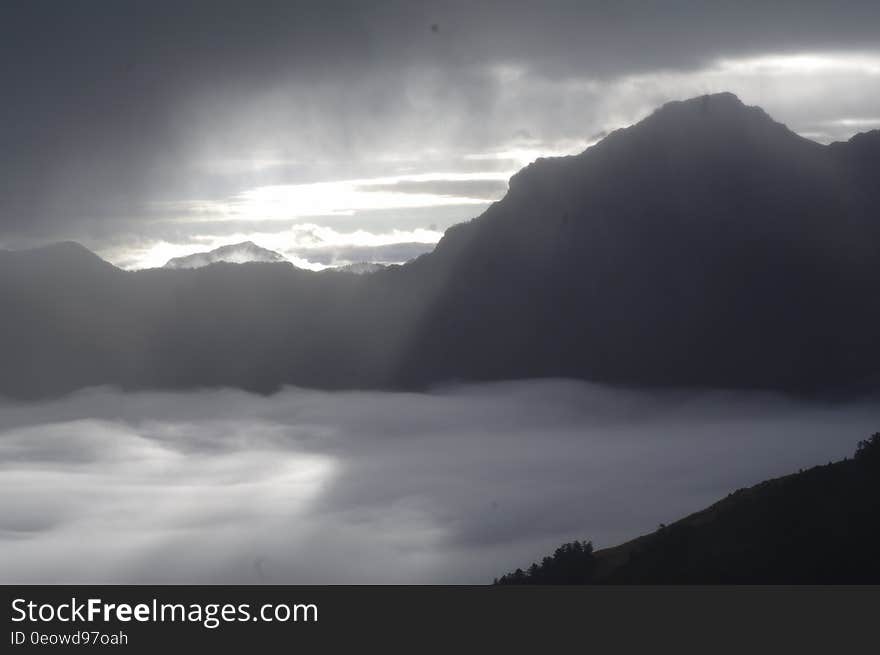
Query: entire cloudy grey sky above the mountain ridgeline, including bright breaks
[(147, 130)]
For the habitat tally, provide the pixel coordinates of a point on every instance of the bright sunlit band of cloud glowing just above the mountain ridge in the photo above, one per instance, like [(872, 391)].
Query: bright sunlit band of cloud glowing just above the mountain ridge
[(419, 190)]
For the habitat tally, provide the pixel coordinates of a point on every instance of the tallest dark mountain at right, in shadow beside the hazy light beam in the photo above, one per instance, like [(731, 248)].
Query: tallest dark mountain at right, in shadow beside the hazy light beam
[(706, 245)]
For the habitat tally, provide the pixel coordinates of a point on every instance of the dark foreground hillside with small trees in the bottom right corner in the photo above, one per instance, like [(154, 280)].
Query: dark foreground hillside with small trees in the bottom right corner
[(819, 526)]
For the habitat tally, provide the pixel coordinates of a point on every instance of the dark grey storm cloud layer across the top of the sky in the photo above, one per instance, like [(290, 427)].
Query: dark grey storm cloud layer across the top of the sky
[(109, 106)]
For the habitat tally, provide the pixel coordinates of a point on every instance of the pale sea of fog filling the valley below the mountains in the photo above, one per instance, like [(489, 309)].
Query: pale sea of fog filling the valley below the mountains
[(455, 486)]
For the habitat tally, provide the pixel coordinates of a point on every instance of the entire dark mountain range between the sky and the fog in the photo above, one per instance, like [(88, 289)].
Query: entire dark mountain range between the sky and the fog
[(707, 245)]
